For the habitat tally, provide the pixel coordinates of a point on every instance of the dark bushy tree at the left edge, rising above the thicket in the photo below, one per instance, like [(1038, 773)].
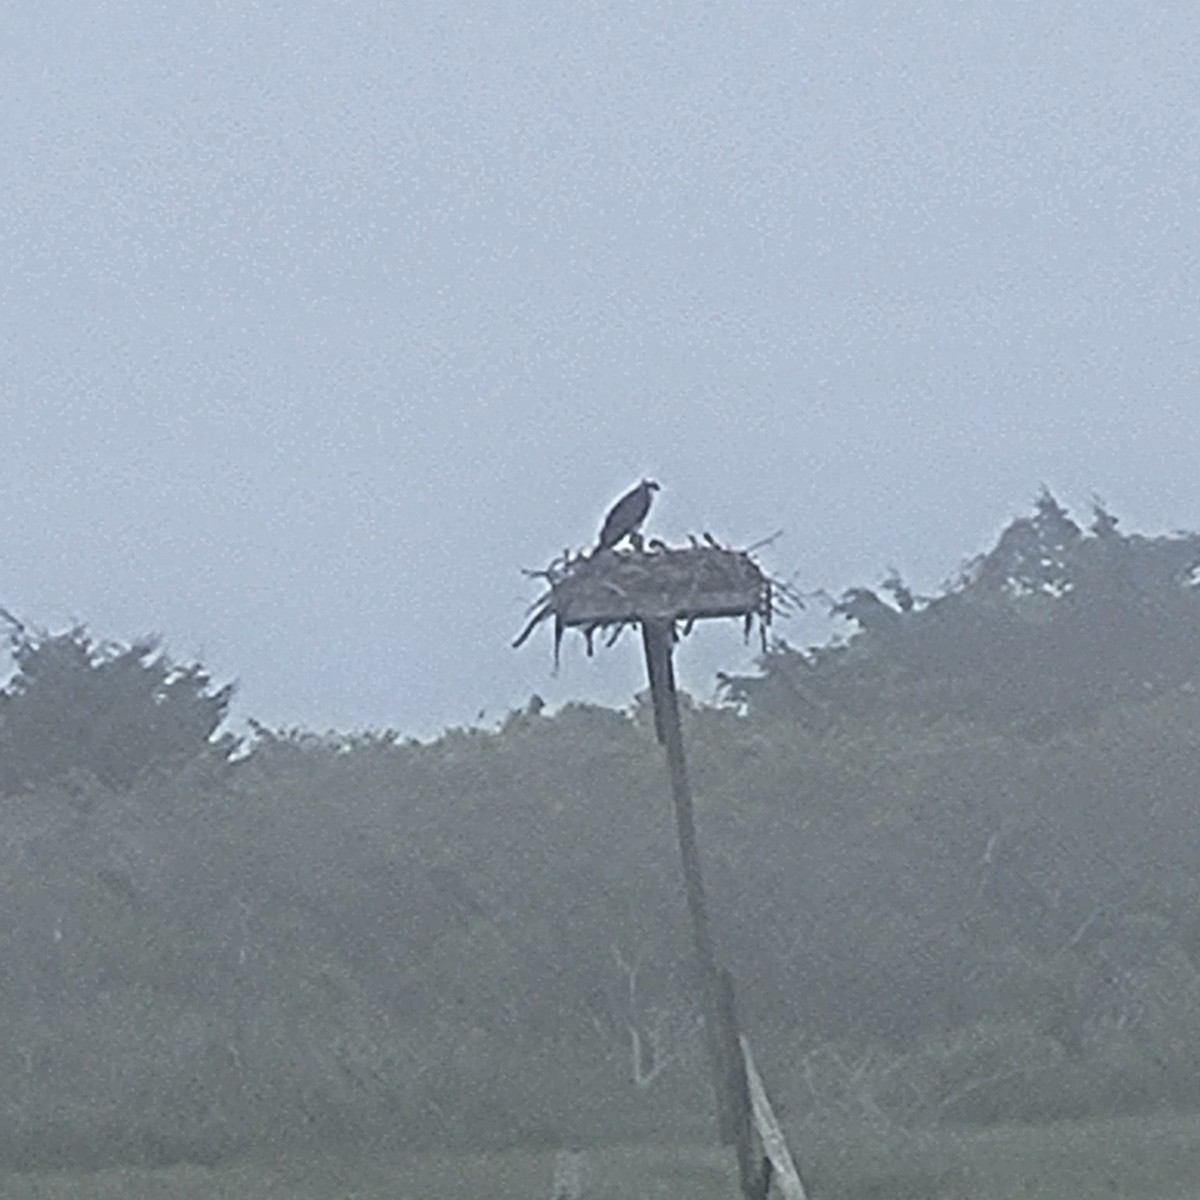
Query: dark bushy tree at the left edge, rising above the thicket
[(75, 704)]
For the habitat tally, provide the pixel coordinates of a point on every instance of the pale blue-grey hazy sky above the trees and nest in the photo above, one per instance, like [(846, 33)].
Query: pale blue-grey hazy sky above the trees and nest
[(321, 322)]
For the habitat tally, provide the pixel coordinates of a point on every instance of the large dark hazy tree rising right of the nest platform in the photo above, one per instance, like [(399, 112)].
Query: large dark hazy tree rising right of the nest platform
[(1043, 633)]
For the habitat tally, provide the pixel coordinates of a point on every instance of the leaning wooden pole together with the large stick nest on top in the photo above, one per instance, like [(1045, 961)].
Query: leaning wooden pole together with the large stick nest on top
[(664, 592)]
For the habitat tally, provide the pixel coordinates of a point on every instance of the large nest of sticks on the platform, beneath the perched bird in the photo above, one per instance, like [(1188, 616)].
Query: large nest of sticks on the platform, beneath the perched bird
[(608, 591)]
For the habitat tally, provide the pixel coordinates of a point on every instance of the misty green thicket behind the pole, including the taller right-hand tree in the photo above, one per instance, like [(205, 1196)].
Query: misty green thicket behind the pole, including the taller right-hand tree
[(937, 913)]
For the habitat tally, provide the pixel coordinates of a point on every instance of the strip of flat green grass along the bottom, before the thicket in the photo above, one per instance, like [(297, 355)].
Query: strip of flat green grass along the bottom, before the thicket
[(1145, 1159)]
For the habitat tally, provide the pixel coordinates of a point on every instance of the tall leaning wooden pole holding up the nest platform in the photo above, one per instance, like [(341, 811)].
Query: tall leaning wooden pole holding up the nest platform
[(734, 1114)]
